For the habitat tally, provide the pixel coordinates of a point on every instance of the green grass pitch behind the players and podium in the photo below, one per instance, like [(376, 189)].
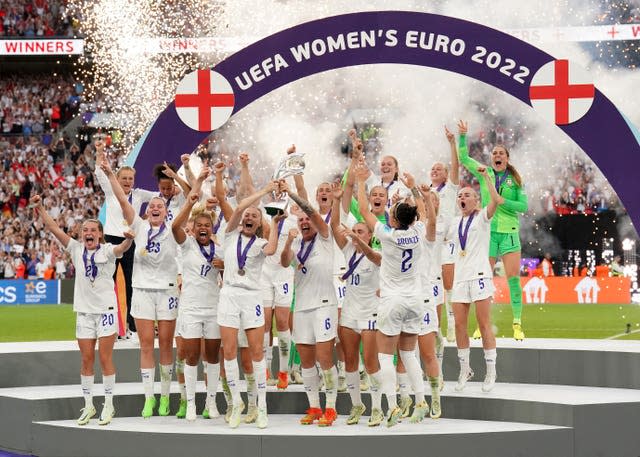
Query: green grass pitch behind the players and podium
[(57, 322)]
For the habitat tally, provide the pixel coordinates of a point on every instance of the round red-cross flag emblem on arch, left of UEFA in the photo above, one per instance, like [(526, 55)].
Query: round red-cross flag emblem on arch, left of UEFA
[(204, 100)]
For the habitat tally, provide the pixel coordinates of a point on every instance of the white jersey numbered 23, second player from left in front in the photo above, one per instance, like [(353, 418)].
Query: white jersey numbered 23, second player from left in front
[(155, 262)]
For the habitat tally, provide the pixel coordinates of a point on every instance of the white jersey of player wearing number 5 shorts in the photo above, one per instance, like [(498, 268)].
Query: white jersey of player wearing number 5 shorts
[(473, 262)]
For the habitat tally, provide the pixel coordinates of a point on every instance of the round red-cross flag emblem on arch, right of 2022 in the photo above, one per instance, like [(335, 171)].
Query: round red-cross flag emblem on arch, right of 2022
[(562, 91)]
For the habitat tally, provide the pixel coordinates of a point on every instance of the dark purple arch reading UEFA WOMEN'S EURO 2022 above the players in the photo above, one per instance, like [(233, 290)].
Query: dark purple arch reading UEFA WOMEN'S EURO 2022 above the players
[(428, 40)]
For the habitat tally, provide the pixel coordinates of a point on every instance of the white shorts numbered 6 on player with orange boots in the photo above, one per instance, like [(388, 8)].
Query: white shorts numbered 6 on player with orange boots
[(315, 325)]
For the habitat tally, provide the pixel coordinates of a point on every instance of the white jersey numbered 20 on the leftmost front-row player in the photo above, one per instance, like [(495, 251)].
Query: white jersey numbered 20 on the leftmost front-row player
[(97, 296)]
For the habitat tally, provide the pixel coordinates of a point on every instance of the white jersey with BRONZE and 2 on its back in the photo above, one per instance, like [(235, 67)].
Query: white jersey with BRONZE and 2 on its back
[(401, 259)]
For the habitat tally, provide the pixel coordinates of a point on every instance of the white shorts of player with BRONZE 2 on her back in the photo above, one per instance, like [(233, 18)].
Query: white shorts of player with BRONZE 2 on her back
[(400, 314)]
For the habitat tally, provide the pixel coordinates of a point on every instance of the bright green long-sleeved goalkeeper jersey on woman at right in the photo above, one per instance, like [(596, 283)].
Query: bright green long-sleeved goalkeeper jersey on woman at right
[(505, 219)]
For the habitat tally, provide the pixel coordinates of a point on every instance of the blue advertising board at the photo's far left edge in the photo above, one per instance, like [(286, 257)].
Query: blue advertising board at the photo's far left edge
[(29, 292)]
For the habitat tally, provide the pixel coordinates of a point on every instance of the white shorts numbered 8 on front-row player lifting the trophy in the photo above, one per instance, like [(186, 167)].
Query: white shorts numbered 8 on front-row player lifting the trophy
[(240, 308)]
